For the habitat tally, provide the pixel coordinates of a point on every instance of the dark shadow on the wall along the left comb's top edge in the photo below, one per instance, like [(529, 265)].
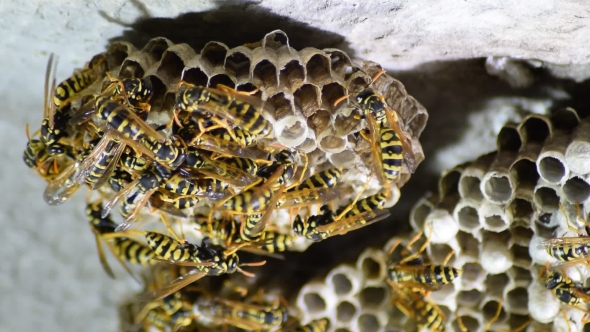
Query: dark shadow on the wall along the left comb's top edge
[(232, 23)]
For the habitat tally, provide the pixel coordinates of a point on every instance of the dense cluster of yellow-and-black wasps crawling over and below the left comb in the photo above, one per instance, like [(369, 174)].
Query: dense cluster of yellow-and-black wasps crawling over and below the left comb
[(217, 149)]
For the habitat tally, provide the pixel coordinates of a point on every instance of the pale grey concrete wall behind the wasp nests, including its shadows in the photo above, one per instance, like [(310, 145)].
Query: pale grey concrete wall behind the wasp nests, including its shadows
[(50, 279)]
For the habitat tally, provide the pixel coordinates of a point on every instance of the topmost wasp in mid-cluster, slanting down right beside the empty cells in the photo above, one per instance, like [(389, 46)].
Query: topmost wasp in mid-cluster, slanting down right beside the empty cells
[(227, 107)]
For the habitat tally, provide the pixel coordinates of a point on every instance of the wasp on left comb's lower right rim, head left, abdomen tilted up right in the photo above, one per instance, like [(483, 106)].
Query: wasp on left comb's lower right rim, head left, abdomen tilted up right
[(319, 227)]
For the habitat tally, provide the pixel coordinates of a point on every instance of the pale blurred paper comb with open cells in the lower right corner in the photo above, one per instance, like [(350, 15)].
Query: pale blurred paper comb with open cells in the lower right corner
[(491, 217)]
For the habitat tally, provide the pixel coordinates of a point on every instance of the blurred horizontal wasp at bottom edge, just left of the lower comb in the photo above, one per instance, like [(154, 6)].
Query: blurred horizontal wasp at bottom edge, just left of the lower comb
[(245, 316)]
